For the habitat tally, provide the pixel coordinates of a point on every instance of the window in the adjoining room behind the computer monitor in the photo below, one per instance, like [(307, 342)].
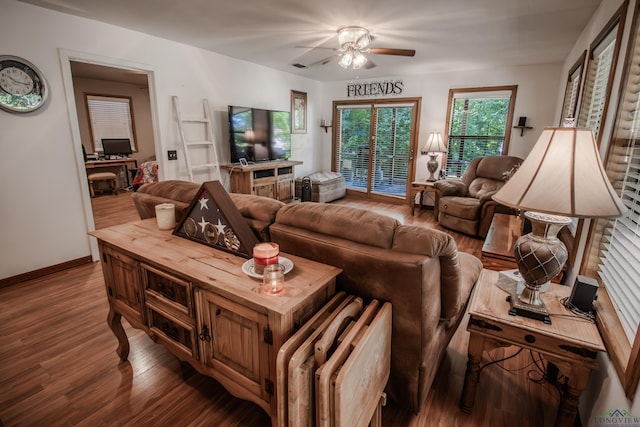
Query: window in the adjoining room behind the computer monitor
[(110, 117)]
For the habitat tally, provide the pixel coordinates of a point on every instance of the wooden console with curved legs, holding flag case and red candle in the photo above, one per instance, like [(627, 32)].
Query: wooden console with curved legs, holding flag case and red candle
[(197, 302)]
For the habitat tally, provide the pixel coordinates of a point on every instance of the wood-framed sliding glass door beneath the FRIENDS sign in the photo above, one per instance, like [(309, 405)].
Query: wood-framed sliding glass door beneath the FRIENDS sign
[(374, 145)]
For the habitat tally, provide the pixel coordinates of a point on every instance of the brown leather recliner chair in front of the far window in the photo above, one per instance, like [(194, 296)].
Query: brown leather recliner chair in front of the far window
[(465, 205)]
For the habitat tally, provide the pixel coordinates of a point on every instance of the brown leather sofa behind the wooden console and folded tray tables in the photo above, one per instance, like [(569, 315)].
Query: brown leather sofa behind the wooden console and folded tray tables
[(419, 270)]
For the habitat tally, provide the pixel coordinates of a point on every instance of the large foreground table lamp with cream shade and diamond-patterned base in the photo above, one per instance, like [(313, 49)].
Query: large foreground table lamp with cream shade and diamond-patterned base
[(562, 177)]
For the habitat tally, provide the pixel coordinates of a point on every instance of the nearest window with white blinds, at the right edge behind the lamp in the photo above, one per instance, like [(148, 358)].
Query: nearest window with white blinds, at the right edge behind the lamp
[(613, 247)]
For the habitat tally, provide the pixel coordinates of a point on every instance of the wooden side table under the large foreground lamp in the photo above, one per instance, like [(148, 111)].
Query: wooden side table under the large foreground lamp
[(572, 344)]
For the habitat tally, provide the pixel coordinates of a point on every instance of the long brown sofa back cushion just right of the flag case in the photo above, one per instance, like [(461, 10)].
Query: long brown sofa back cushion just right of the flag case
[(357, 225)]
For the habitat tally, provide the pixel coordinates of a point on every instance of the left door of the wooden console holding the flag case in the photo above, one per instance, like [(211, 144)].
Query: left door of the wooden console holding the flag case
[(122, 279)]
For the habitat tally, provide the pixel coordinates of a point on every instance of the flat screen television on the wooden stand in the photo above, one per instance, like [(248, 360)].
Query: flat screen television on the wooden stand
[(259, 135)]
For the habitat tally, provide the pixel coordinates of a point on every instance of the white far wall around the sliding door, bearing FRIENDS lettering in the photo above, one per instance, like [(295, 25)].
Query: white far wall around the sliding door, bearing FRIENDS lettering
[(538, 86)]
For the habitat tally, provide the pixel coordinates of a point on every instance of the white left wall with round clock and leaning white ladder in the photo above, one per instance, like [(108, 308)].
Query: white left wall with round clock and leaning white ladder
[(44, 192)]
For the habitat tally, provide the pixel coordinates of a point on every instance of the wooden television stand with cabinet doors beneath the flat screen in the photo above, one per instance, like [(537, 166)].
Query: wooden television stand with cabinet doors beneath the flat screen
[(269, 179)]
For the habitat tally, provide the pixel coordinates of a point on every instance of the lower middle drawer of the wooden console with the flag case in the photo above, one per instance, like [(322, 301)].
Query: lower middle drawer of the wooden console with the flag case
[(174, 332)]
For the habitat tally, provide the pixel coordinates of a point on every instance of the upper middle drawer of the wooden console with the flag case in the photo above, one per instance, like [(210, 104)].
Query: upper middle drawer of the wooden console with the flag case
[(164, 288)]
